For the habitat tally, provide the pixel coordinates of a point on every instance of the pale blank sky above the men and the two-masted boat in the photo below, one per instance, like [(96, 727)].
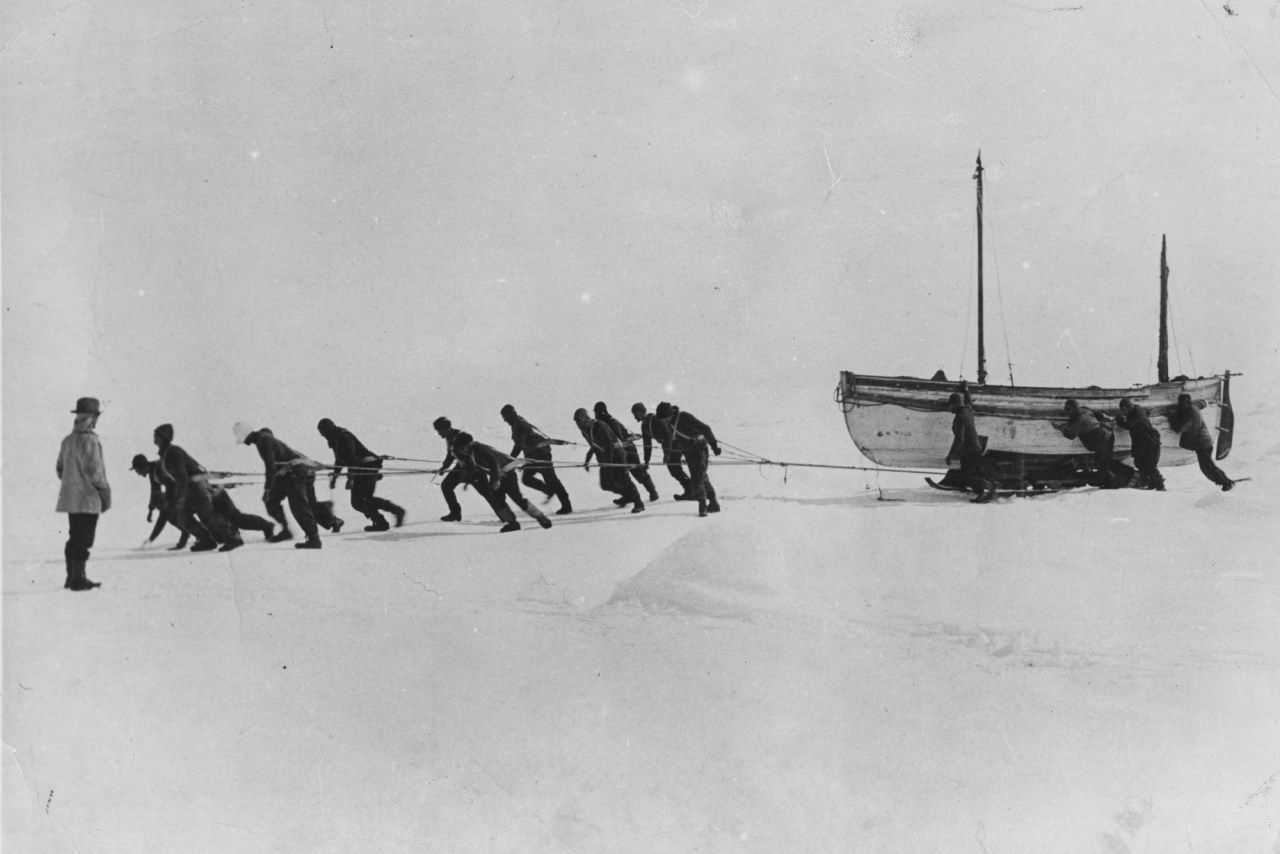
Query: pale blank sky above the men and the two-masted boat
[(387, 212)]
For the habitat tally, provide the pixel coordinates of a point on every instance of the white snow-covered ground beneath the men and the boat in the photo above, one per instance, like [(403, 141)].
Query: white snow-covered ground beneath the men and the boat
[(819, 668)]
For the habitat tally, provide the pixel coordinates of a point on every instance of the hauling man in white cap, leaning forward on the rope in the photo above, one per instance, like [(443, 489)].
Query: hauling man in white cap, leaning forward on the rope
[(290, 476)]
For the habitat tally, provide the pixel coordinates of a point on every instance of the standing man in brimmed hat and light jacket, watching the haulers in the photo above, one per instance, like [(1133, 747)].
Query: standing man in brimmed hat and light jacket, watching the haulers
[(85, 492)]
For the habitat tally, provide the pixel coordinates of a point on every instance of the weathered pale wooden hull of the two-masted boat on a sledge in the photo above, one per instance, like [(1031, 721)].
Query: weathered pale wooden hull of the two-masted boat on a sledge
[(904, 423)]
